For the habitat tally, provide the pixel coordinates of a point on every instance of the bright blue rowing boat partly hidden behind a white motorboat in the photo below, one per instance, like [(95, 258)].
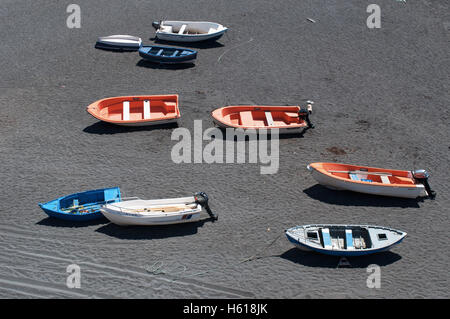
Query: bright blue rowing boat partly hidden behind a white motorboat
[(82, 206)]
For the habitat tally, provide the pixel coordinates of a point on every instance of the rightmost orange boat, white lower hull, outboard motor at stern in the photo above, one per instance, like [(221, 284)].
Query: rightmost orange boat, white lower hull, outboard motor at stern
[(371, 180)]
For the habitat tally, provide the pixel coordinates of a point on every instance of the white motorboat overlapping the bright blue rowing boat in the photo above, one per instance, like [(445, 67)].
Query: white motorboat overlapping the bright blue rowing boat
[(135, 211)]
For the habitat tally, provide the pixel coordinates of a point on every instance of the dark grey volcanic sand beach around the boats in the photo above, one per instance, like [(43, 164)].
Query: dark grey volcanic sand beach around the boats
[(381, 99)]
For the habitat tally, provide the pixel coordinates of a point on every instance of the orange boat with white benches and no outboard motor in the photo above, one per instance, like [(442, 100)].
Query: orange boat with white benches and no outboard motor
[(138, 110)]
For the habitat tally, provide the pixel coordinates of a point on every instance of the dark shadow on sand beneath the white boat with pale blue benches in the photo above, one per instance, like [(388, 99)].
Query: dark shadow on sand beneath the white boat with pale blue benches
[(311, 259)]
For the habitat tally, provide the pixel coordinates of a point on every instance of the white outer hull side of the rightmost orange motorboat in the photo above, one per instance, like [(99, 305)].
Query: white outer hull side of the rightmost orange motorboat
[(333, 183)]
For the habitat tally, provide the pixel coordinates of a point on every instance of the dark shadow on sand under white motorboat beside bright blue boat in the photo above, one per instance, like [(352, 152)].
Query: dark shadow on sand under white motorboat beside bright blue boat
[(151, 232)]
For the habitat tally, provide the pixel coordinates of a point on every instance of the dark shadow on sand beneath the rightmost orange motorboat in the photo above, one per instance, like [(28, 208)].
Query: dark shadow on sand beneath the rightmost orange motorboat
[(347, 198)]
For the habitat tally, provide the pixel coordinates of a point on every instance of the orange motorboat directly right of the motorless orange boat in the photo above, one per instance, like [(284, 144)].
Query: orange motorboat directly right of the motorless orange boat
[(288, 119)]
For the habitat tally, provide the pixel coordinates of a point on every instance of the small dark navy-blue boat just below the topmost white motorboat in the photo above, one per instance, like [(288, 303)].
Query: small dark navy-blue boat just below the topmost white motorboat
[(160, 54)]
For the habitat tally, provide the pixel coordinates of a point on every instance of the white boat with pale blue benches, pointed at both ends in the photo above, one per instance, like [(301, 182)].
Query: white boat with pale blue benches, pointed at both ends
[(344, 240)]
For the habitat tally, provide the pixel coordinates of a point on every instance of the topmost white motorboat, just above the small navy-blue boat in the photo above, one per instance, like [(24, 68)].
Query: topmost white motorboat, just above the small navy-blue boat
[(188, 31)]
